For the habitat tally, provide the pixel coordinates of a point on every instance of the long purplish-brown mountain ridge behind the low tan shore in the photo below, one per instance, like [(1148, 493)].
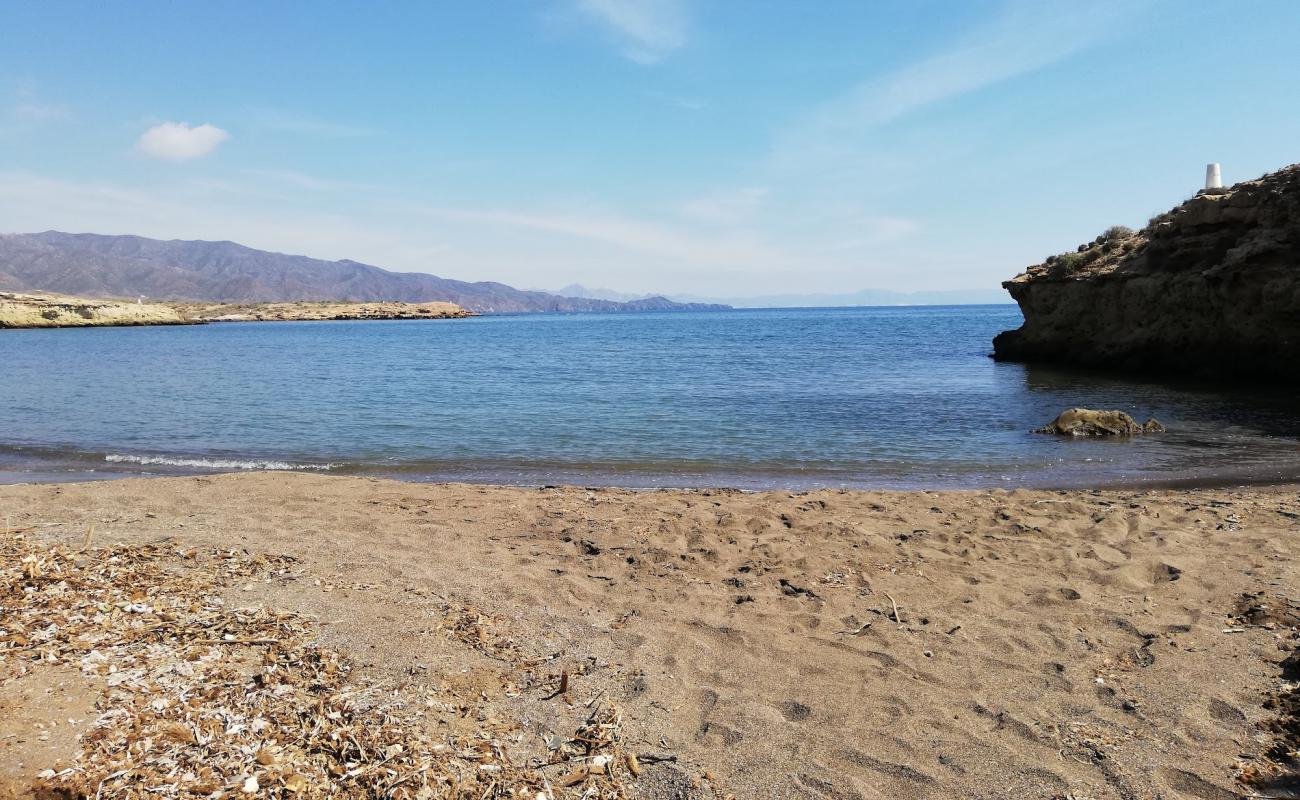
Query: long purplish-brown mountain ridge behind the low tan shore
[(224, 273)]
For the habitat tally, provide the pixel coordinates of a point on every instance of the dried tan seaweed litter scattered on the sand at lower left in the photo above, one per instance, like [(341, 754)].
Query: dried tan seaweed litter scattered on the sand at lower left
[(207, 700)]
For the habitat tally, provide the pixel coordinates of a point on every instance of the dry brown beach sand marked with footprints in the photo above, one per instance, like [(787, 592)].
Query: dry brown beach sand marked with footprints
[(1051, 645)]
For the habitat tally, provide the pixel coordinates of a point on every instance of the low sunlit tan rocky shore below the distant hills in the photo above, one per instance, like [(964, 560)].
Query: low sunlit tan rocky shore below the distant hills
[(59, 312)]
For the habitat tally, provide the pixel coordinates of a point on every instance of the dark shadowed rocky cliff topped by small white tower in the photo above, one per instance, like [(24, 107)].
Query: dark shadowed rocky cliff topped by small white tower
[(1211, 288)]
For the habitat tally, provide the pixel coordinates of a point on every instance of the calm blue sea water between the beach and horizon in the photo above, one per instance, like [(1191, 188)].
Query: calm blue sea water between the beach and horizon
[(791, 399)]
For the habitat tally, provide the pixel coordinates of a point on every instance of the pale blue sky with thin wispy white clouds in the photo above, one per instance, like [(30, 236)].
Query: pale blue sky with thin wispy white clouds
[(709, 148)]
